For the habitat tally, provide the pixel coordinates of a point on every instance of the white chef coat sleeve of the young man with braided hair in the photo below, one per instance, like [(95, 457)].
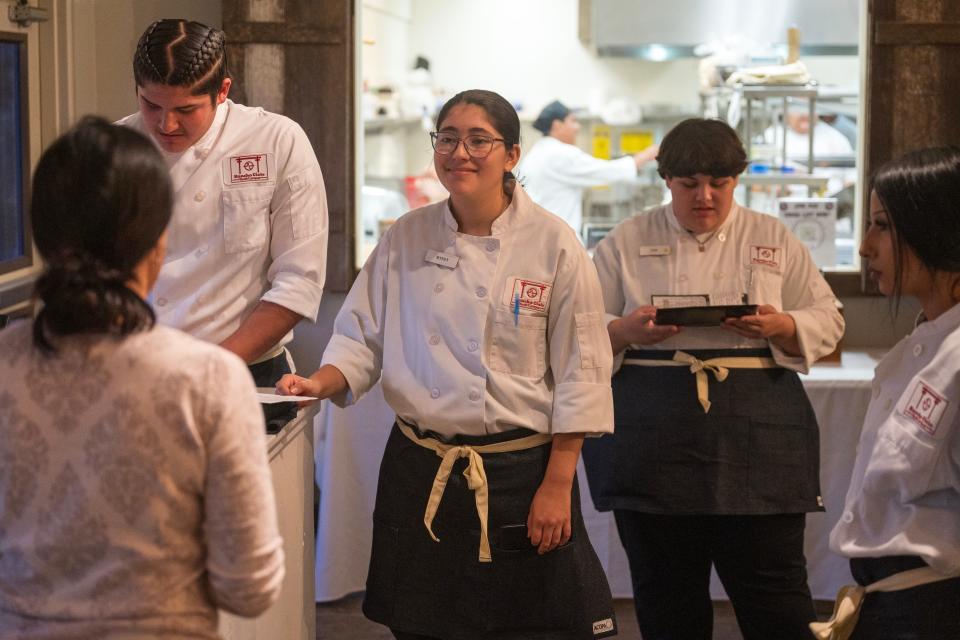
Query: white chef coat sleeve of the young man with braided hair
[(299, 230)]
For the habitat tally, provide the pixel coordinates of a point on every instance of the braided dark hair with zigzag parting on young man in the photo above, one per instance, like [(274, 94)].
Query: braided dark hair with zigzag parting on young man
[(182, 53)]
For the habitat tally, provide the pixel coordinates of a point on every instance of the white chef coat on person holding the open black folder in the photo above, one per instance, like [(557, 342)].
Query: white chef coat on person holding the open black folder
[(750, 253)]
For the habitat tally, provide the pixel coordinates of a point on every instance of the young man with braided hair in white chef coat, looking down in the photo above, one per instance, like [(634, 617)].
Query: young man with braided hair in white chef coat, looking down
[(246, 257)]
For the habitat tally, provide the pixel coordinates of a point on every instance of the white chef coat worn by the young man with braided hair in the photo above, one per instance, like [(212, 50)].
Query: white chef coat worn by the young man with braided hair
[(249, 224)]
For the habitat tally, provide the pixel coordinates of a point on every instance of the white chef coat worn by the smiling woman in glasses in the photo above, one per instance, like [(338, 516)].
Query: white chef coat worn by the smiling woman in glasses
[(479, 334)]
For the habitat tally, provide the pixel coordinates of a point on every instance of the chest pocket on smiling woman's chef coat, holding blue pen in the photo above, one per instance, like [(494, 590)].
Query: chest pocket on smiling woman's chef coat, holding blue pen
[(518, 344)]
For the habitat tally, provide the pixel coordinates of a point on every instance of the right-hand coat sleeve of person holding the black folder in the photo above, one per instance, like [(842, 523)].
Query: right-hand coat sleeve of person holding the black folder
[(810, 302)]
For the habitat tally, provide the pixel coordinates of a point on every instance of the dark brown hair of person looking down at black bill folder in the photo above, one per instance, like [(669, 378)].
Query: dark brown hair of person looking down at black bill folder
[(704, 146)]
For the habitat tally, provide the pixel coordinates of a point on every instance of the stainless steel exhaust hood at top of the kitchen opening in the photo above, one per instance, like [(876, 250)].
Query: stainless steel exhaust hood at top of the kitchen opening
[(663, 30)]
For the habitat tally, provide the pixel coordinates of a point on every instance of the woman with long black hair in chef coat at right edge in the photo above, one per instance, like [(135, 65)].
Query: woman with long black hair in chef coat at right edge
[(902, 512)]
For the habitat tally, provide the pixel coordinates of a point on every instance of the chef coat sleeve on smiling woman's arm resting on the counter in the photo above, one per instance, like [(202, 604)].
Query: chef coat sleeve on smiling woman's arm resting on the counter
[(356, 347)]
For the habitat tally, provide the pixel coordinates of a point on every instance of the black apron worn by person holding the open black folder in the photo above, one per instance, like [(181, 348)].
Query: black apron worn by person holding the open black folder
[(757, 451)]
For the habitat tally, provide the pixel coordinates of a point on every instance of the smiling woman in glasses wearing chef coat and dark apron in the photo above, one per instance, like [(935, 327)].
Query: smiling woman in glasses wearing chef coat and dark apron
[(484, 317)]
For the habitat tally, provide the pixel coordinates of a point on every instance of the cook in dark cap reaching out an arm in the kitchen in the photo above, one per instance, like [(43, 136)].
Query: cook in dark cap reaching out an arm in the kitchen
[(555, 171)]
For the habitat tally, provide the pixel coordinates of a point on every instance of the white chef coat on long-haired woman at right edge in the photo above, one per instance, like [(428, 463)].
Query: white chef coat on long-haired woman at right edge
[(904, 494)]
